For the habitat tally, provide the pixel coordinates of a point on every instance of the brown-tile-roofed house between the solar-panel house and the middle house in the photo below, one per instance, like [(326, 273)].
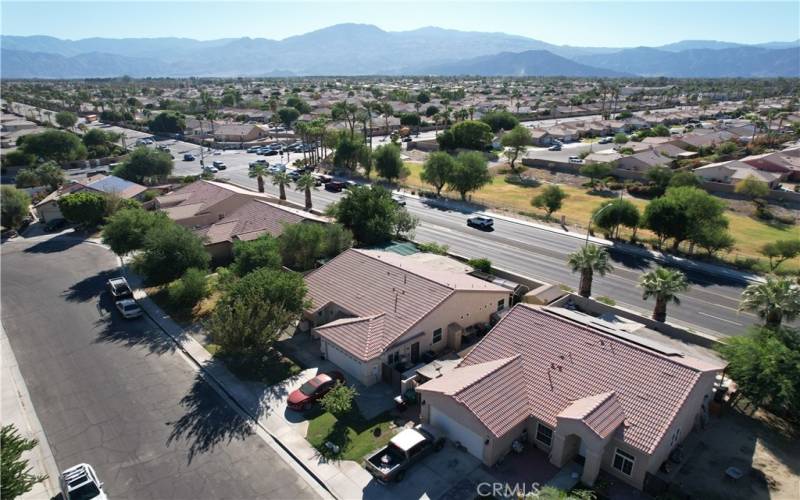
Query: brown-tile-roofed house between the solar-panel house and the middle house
[(222, 213)]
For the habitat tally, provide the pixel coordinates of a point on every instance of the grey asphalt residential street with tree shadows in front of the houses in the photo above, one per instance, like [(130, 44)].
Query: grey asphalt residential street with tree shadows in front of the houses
[(116, 393)]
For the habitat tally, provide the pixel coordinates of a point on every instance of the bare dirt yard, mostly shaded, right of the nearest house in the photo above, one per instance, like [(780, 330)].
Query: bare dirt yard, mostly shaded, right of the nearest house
[(763, 447)]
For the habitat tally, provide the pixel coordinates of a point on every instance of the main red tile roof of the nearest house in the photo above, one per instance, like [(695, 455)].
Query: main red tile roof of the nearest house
[(565, 361)]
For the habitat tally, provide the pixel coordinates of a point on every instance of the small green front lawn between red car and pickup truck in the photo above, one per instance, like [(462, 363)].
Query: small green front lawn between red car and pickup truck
[(355, 435)]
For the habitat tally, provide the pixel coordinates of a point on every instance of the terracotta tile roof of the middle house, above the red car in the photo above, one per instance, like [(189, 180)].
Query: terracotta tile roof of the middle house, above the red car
[(368, 284)]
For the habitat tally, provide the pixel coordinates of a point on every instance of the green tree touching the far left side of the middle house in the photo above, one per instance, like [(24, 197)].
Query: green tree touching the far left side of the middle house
[(301, 245)]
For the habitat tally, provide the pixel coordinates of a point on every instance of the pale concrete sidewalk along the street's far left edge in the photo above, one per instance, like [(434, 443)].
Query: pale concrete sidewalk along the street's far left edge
[(17, 409)]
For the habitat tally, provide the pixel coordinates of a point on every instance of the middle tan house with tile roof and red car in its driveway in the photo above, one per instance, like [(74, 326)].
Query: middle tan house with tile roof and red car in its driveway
[(377, 313)]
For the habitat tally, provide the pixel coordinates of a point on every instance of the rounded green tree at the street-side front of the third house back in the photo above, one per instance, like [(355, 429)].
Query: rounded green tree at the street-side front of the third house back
[(168, 251)]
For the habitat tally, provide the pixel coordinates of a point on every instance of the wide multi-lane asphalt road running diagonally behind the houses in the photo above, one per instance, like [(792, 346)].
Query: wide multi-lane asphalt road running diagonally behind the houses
[(710, 305)]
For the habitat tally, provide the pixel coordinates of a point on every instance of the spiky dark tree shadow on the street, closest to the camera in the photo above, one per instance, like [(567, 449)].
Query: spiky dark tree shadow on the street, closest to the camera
[(208, 421)]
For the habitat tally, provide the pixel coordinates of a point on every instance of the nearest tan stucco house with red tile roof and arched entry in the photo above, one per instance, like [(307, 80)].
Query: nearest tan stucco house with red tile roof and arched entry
[(576, 390)]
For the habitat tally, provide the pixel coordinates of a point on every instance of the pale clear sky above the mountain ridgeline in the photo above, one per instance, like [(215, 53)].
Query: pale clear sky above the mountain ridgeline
[(587, 23)]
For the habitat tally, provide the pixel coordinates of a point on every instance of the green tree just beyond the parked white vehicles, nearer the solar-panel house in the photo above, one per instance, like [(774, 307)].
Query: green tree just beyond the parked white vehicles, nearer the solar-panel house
[(126, 229)]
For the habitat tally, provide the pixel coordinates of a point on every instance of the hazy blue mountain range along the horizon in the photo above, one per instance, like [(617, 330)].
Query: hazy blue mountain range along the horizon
[(357, 49)]
